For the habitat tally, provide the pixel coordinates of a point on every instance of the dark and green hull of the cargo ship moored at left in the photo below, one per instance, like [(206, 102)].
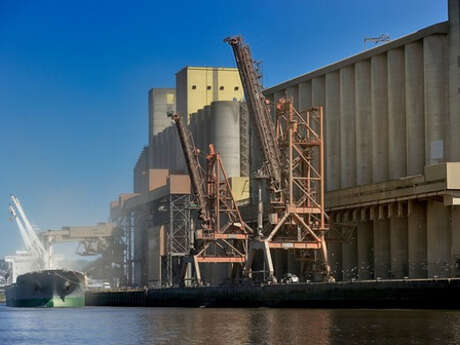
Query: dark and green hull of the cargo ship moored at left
[(47, 288)]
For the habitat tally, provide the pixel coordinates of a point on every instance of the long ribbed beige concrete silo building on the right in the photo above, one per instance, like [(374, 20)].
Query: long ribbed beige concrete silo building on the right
[(392, 118)]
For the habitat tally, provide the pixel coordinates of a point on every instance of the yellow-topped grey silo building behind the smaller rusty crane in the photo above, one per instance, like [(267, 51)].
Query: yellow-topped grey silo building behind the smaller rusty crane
[(154, 217)]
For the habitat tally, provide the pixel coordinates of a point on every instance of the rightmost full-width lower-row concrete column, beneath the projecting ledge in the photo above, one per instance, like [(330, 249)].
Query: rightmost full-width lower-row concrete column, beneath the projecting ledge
[(438, 239)]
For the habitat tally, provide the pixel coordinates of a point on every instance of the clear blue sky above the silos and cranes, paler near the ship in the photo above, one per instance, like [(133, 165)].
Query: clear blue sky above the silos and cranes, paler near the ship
[(74, 78)]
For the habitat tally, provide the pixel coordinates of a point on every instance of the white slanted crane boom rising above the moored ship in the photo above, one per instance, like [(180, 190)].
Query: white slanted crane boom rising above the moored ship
[(28, 234)]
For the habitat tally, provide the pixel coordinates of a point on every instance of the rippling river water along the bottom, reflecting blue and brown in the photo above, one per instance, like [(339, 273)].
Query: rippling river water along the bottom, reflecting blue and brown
[(100, 325)]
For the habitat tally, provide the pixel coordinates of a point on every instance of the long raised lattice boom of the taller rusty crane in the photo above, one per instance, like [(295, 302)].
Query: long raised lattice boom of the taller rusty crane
[(259, 109)]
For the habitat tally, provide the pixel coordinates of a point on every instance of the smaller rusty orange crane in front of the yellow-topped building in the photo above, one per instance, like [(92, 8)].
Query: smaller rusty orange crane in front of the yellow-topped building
[(221, 235)]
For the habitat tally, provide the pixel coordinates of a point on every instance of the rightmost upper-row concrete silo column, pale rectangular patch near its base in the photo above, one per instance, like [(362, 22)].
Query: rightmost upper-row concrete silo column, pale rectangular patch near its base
[(436, 97)]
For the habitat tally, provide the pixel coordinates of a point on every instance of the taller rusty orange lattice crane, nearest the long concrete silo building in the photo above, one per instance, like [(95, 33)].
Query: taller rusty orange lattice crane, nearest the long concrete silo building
[(293, 165)]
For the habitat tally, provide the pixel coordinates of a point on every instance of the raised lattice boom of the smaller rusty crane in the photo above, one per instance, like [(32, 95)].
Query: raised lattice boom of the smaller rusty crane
[(191, 158)]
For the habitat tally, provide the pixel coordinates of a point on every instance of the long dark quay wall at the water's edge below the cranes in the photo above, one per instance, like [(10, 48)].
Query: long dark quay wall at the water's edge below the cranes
[(420, 293)]
